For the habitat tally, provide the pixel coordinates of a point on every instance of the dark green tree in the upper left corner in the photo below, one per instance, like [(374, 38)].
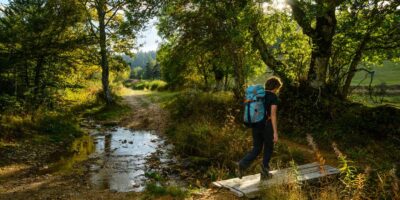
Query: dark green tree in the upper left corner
[(37, 37)]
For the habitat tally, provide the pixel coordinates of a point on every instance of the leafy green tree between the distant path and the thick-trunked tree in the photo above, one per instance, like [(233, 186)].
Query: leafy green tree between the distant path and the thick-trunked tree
[(211, 31)]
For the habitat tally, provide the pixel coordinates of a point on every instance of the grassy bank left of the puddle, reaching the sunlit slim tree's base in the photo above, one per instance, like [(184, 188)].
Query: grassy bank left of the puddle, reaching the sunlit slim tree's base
[(46, 135)]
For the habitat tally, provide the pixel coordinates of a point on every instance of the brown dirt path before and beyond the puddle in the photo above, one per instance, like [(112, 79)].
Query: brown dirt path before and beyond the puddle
[(24, 181)]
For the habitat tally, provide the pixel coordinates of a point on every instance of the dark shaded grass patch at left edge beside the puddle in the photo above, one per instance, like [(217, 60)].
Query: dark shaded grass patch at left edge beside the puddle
[(37, 140)]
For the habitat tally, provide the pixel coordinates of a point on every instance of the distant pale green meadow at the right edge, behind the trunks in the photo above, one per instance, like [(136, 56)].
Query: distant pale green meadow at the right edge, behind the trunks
[(389, 73)]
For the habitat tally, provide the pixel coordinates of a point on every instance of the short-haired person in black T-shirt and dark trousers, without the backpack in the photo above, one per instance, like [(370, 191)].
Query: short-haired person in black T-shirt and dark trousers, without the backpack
[(265, 133)]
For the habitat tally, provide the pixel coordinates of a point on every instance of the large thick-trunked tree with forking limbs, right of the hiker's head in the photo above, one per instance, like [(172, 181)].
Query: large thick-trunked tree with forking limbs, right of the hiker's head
[(341, 34)]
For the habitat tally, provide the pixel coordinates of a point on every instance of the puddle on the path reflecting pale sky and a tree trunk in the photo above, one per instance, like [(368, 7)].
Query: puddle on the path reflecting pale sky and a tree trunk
[(121, 159)]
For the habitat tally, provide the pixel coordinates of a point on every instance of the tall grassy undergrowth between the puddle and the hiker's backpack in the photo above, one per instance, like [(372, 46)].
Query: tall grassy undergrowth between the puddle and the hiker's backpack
[(206, 132)]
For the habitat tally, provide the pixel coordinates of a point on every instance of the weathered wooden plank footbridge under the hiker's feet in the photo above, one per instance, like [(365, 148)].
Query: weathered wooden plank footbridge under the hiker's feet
[(250, 186)]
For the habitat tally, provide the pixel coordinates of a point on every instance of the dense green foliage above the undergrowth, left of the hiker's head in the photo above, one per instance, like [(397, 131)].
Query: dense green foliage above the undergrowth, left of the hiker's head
[(211, 44)]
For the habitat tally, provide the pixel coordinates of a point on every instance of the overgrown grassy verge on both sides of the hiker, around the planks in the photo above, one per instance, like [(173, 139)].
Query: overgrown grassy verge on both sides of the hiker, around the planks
[(209, 138)]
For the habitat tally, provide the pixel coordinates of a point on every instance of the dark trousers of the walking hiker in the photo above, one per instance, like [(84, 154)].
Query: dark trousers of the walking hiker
[(262, 137)]
